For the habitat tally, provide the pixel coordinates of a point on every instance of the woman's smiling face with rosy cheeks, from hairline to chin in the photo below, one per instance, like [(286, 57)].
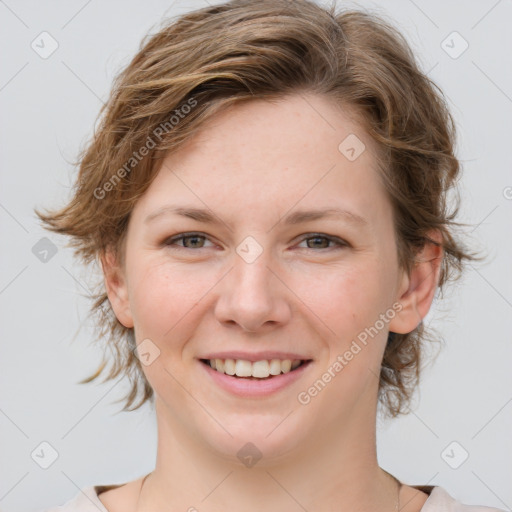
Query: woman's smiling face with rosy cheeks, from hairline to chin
[(253, 280)]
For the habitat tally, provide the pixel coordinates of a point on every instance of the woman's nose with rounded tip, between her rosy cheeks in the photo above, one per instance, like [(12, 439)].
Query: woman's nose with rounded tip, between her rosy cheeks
[(253, 296)]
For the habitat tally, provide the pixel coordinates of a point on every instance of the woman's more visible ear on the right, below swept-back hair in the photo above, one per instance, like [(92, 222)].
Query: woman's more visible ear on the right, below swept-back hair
[(417, 290)]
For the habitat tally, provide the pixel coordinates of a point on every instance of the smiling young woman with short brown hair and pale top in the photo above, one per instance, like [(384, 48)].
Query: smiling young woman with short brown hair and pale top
[(266, 195)]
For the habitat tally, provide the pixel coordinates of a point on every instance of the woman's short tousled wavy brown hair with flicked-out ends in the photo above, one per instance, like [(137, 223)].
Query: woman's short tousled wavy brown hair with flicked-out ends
[(243, 50)]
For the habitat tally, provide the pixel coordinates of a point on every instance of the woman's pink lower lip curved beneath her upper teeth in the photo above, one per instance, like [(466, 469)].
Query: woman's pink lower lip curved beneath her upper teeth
[(255, 388)]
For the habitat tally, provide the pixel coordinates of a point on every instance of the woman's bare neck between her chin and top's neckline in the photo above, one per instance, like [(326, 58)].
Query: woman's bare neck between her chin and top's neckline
[(340, 468)]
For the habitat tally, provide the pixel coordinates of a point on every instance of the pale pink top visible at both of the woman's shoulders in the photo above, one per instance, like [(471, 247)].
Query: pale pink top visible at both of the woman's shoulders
[(438, 501)]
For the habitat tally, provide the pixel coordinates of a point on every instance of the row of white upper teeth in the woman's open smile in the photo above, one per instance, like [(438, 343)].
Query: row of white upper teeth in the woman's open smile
[(260, 369)]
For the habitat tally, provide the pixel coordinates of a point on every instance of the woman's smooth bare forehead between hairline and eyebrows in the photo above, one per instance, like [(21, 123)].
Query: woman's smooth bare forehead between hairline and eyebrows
[(267, 156)]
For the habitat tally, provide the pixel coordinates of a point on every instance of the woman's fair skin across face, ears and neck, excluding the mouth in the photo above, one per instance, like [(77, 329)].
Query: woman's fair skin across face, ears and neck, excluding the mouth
[(250, 166)]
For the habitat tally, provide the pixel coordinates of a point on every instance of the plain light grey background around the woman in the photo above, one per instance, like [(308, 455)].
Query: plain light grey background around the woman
[(48, 109)]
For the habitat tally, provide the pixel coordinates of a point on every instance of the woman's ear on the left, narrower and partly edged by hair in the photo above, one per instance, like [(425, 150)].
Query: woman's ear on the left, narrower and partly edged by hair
[(116, 287)]
